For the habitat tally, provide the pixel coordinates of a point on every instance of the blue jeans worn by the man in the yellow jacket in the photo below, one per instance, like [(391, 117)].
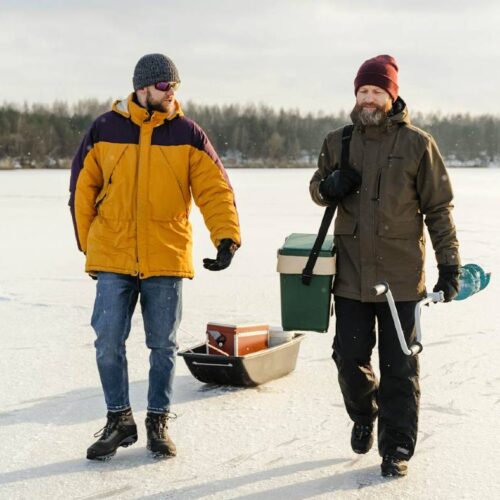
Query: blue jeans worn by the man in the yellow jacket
[(161, 305)]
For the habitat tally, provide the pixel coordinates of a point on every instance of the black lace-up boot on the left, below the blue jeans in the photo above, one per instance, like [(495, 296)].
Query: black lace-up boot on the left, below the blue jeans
[(120, 430)]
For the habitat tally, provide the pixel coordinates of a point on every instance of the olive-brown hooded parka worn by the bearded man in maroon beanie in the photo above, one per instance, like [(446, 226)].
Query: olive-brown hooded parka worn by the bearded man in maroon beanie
[(378, 231)]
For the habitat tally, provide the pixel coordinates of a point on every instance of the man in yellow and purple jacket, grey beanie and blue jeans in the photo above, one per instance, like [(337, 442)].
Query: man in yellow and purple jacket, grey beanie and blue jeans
[(132, 183)]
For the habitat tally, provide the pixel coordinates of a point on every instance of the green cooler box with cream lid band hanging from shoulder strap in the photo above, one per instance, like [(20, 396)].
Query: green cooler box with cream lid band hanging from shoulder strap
[(306, 307)]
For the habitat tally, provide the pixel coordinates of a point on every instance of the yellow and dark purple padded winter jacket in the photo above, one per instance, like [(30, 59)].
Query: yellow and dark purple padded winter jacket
[(132, 183)]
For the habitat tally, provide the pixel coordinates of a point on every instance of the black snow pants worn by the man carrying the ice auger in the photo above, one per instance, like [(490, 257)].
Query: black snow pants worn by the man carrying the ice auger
[(395, 399)]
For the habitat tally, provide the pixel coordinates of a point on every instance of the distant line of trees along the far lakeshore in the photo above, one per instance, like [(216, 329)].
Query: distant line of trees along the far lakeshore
[(40, 136)]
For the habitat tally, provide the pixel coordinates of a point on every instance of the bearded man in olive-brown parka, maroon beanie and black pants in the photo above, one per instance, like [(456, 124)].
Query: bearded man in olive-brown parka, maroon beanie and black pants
[(396, 181)]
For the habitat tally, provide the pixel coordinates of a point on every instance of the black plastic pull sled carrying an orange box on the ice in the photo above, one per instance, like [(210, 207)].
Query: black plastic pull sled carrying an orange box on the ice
[(248, 370)]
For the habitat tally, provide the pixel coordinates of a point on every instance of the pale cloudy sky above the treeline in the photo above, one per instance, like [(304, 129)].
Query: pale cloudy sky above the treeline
[(284, 53)]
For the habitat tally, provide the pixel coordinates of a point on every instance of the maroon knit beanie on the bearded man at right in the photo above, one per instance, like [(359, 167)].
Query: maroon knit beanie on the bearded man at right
[(381, 71)]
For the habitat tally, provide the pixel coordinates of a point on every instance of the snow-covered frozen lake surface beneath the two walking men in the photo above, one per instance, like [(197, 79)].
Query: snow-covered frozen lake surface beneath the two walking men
[(286, 439)]
